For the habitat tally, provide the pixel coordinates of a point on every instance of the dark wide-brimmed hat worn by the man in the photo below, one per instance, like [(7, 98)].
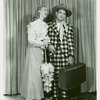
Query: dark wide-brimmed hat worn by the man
[(63, 7)]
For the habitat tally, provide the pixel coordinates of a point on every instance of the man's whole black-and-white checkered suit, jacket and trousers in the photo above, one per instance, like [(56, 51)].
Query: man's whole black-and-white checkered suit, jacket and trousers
[(64, 49)]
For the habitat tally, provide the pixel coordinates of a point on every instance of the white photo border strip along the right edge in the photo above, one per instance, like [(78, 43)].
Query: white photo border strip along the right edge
[(98, 47)]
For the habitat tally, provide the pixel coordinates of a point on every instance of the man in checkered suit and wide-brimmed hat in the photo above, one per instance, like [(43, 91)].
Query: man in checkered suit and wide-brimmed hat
[(61, 46)]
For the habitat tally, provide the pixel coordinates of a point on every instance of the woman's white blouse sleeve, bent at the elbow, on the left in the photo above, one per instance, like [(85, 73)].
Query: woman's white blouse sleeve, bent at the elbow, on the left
[(32, 36)]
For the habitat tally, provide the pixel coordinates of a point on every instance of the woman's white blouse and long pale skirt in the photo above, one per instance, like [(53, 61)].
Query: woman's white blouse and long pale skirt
[(31, 82)]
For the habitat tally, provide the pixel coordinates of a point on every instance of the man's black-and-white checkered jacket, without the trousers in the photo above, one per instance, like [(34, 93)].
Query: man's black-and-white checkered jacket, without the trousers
[(65, 48)]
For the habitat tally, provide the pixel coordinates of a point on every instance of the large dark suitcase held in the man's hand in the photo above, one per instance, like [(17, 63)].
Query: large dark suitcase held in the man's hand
[(72, 76)]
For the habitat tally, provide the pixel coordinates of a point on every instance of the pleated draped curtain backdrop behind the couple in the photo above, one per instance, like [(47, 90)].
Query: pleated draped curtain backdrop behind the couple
[(18, 13)]
